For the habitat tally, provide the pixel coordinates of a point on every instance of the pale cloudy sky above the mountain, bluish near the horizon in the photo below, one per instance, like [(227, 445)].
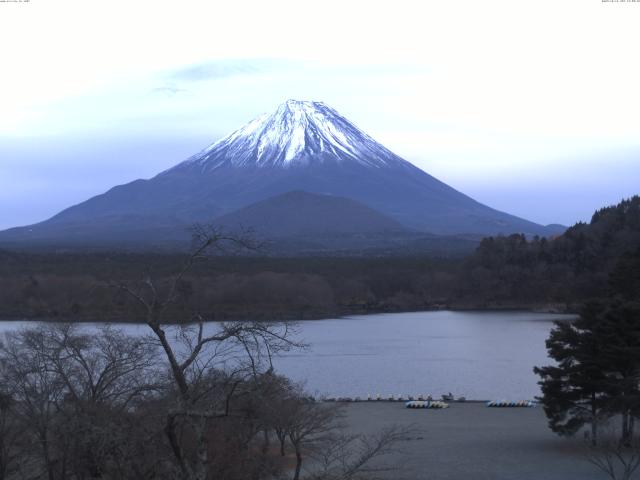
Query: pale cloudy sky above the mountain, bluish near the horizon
[(528, 107)]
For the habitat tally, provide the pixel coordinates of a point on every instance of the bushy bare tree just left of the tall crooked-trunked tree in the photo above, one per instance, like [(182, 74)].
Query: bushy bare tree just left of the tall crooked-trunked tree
[(104, 375)]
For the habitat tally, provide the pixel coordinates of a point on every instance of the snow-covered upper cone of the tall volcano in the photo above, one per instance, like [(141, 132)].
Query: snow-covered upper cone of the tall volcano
[(298, 133)]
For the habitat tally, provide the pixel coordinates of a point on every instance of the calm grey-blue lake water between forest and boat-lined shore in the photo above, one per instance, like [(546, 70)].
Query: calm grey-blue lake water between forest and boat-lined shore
[(481, 355)]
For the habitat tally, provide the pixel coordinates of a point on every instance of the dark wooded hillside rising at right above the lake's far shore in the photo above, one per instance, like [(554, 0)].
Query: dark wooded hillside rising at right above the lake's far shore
[(568, 269)]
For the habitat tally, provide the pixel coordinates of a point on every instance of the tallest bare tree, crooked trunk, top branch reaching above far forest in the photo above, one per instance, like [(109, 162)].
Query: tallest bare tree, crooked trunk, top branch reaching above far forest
[(195, 351)]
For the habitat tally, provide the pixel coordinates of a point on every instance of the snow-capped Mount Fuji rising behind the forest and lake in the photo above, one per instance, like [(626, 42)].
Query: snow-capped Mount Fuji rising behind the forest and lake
[(302, 147)]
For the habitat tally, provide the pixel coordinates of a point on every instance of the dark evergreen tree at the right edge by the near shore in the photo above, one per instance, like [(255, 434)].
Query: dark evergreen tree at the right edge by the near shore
[(598, 369)]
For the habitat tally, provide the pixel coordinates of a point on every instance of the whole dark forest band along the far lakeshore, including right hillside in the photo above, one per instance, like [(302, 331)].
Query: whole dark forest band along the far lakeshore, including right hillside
[(504, 272)]
